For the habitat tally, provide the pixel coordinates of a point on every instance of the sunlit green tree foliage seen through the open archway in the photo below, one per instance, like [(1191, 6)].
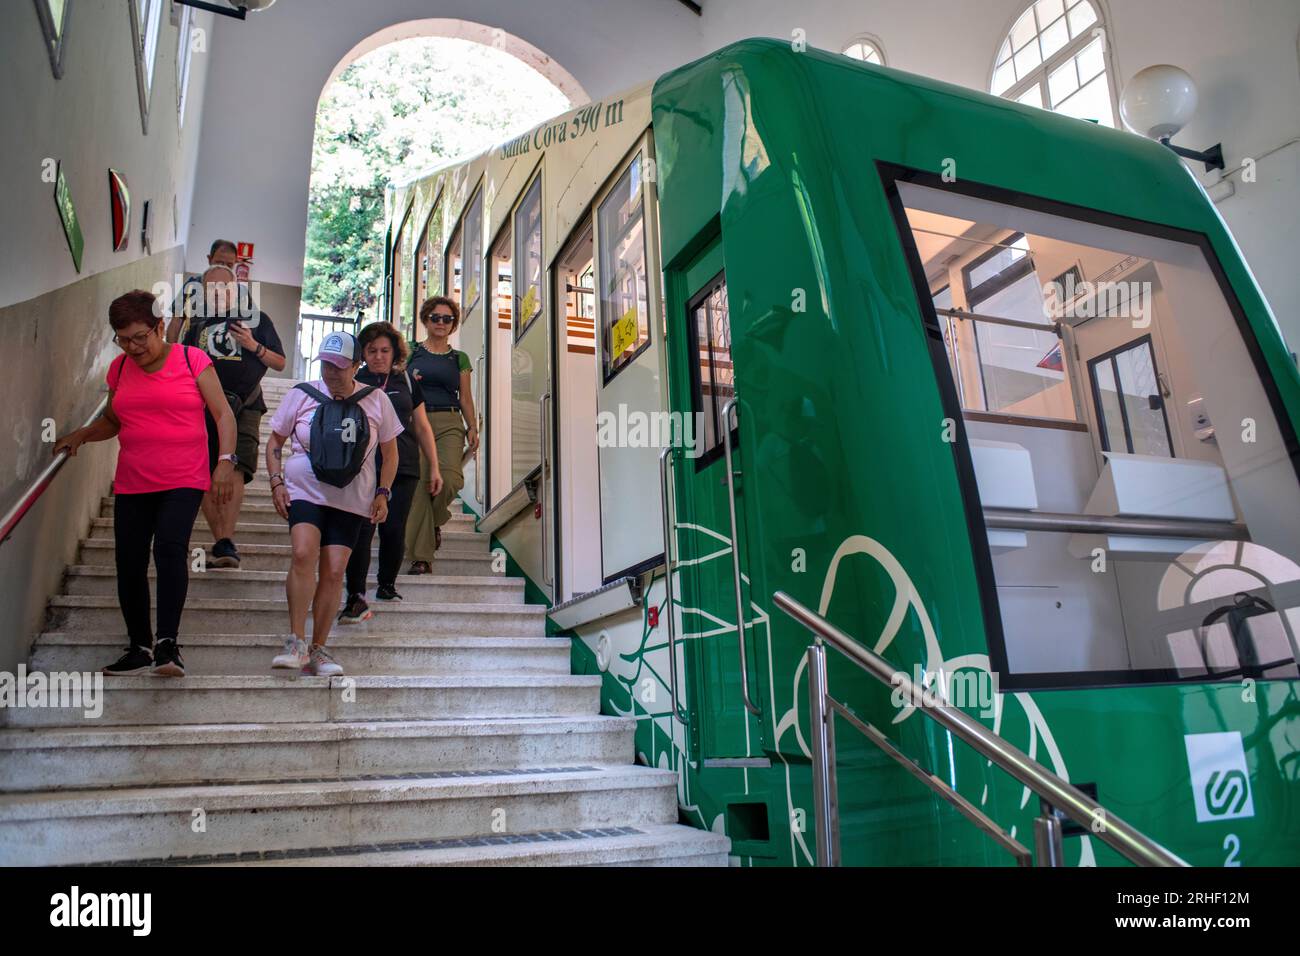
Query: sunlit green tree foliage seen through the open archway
[(393, 114)]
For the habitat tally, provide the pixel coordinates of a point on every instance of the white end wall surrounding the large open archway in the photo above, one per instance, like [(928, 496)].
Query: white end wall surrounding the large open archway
[(272, 68)]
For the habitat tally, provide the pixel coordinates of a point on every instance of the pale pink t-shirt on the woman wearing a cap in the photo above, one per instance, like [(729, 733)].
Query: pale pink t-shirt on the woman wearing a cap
[(294, 421)]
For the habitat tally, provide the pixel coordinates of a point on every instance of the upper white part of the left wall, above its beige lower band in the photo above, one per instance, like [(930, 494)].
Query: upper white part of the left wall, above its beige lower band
[(90, 120)]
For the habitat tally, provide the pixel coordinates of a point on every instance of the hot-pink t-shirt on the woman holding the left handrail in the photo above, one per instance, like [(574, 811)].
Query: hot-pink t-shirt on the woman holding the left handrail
[(163, 443)]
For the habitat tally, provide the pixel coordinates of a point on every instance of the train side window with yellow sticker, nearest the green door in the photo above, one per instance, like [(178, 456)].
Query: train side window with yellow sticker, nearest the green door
[(623, 308)]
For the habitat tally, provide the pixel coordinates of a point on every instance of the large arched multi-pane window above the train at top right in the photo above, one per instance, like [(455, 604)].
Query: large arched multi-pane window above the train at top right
[(1056, 58)]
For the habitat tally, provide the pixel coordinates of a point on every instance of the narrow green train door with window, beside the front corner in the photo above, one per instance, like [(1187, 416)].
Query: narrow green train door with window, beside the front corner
[(725, 695)]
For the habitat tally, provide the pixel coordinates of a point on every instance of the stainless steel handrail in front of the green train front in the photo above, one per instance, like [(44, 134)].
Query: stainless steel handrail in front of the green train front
[(1056, 795)]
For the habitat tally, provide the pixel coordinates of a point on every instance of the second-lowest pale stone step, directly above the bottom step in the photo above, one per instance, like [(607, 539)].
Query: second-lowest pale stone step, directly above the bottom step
[(54, 828)]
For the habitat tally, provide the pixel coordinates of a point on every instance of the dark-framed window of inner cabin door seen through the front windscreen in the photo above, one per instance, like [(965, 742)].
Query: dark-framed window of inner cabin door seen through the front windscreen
[(1129, 401)]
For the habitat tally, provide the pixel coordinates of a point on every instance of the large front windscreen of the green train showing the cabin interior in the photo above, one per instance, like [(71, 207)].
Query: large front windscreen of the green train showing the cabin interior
[(1158, 542)]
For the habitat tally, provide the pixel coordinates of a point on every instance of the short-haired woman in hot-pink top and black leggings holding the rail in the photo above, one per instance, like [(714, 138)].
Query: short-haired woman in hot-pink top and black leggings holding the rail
[(157, 396)]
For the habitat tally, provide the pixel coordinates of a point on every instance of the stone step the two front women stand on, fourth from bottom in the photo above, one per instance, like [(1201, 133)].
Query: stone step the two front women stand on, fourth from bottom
[(272, 699)]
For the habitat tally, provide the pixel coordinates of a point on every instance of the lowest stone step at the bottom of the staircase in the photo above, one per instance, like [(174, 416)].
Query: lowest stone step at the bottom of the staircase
[(661, 845)]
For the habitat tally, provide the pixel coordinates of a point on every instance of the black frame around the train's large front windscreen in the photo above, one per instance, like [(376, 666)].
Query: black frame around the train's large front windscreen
[(891, 176)]
